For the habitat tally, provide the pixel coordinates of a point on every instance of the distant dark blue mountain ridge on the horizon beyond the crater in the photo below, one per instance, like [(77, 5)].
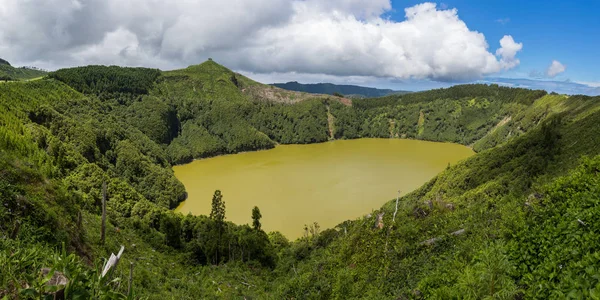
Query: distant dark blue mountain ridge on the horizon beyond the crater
[(351, 91)]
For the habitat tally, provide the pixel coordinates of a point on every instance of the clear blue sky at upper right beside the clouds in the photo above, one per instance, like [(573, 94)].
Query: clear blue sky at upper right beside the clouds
[(566, 31)]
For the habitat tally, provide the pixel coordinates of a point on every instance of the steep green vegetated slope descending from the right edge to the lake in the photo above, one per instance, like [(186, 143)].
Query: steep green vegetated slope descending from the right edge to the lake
[(496, 225)]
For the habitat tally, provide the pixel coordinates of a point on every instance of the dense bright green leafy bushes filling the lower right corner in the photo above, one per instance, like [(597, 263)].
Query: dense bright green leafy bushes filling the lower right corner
[(557, 250)]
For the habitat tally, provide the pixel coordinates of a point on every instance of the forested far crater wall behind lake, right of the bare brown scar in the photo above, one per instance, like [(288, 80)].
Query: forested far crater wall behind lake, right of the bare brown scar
[(462, 114)]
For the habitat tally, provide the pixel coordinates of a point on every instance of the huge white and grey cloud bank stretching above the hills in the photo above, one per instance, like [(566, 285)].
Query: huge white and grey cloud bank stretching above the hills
[(334, 37)]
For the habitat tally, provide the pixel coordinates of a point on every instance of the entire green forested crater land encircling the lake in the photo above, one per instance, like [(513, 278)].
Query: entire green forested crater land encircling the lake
[(516, 220)]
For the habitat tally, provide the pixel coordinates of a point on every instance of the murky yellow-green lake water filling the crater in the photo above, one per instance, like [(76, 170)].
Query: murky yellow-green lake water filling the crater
[(326, 183)]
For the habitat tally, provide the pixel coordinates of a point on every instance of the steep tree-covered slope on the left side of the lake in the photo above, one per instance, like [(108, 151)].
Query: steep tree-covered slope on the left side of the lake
[(58, 148)]
